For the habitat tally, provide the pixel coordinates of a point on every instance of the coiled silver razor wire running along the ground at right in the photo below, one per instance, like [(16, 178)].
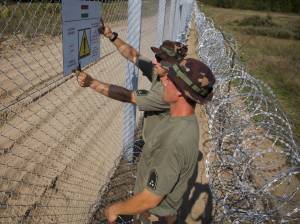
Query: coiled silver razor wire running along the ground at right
[(254, 162)]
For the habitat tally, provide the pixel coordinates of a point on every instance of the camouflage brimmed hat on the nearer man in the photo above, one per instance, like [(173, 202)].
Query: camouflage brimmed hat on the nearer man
[(193, 79)]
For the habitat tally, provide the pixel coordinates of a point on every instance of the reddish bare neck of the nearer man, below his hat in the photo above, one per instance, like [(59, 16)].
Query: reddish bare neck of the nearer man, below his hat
[(181, 108)]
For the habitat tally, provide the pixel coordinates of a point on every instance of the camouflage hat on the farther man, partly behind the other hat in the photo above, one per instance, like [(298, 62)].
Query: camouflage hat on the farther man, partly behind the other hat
[(170, 51)]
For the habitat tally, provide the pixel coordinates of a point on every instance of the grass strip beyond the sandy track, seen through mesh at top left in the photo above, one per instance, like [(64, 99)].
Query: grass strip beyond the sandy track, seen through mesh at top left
[(44, 18)]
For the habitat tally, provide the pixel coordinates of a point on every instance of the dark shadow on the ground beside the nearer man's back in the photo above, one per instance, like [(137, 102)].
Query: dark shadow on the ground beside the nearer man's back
[(192, 194)]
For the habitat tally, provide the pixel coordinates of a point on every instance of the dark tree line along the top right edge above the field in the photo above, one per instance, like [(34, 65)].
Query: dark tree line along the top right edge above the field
[(268, 5)]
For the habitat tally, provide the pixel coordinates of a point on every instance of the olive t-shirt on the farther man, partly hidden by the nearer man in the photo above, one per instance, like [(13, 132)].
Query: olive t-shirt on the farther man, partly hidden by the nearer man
[(150, 101)]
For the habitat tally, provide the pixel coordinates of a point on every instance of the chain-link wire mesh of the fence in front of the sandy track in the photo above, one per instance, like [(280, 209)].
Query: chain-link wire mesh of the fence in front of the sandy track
[(59, 143)]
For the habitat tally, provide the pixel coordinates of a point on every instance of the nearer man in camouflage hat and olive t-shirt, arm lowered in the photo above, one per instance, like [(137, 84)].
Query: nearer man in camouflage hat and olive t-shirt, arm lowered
[(170, 155)]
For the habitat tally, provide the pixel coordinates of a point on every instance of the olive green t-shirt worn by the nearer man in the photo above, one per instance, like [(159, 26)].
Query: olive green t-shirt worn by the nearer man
[(168, 161)]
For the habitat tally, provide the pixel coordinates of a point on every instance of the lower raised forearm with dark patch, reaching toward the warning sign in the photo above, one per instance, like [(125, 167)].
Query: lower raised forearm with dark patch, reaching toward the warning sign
[(112, 91)]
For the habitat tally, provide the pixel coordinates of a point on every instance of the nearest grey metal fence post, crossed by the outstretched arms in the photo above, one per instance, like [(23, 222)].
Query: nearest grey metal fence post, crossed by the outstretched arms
[(134, 35)]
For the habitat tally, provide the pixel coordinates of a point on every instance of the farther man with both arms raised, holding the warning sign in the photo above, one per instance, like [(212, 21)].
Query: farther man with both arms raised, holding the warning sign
[(150, 101)]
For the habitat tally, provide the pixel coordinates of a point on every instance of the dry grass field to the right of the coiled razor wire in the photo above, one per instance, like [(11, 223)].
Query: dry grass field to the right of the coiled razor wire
[(269, 47)]
